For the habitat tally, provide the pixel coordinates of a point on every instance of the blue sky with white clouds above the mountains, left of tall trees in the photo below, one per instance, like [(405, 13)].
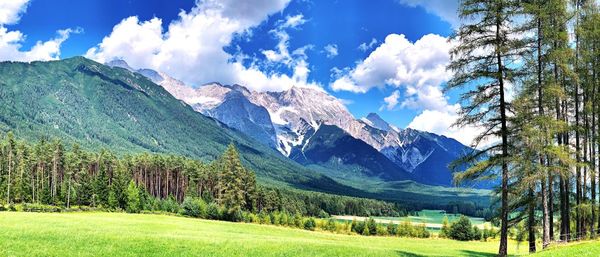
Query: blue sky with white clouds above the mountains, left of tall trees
[(262, 44)]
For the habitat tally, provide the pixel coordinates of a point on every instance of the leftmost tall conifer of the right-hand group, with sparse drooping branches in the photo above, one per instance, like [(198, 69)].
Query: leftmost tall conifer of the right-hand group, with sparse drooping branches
[(487, 43)]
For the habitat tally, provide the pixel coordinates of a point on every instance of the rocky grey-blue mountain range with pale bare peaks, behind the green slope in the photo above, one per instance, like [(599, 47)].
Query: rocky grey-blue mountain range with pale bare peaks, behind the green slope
[(312, 127)]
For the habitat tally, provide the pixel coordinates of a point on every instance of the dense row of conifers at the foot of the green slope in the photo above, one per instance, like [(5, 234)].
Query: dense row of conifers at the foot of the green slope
[(49, 173)]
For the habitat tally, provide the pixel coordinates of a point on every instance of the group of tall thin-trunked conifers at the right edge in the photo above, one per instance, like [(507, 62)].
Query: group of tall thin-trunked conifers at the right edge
[(530, 75)]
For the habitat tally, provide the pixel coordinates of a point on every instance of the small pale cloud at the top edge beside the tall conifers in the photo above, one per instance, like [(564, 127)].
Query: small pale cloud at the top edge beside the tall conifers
[(447, 10)]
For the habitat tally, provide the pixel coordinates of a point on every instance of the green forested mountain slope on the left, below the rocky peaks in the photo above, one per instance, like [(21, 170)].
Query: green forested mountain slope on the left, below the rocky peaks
[(81, 101)]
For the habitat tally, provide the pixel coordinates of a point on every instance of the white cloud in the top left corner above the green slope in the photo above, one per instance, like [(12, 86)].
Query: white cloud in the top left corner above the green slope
[(10, 41)]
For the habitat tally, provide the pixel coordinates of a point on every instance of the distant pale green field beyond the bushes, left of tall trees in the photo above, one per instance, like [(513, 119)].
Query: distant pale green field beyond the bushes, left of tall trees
[(431, 218)]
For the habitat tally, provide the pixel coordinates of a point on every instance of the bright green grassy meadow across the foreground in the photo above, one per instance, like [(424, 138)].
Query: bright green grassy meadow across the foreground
[(117, 234)]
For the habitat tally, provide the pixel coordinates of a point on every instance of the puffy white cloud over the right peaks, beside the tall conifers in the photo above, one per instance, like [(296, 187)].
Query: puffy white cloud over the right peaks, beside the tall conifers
[(416, 71)]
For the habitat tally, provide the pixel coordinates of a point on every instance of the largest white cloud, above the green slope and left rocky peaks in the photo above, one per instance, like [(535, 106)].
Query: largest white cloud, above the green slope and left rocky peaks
[(191, 49)]
